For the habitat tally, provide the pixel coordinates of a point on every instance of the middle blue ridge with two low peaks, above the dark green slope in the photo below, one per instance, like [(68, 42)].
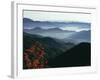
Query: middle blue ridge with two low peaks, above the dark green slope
[(52, 32)]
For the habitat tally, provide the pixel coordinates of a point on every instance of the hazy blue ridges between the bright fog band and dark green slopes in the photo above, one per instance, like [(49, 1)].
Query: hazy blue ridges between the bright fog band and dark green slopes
[(82, 36)]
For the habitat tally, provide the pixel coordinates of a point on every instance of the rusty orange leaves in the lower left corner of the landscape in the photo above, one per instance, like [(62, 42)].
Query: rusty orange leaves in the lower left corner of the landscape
[(38, 53)]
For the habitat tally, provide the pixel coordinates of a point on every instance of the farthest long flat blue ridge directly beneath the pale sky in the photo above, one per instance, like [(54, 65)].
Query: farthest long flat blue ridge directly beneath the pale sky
[(29, 23)]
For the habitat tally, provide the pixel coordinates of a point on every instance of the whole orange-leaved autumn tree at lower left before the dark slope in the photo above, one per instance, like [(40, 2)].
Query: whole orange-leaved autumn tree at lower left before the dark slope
[(34, 57)]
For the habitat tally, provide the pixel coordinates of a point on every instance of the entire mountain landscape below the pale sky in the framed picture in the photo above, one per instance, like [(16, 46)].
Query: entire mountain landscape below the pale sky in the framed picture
[(49, 44)]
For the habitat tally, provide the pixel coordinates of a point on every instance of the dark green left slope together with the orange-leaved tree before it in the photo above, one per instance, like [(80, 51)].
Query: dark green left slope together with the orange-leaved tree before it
[(37, 50)]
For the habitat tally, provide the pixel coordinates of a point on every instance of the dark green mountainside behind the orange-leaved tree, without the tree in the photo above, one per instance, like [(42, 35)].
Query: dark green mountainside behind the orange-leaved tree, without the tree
[(53, 47)]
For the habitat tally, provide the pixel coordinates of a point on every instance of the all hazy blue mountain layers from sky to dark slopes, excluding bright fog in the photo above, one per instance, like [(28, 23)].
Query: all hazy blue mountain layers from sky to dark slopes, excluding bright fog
[(37, 28)]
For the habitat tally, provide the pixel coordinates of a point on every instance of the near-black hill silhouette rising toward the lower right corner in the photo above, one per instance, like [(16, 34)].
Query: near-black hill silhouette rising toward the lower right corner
[(80, 55)]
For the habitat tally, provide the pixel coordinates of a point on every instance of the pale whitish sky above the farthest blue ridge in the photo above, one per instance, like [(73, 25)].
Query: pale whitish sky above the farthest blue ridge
[(56, 16)]
